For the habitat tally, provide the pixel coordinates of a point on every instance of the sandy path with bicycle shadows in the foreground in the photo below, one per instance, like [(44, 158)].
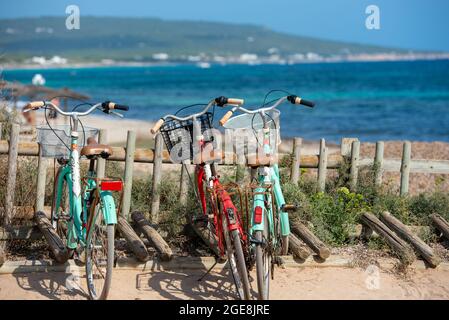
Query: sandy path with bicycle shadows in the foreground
[(292, 283)]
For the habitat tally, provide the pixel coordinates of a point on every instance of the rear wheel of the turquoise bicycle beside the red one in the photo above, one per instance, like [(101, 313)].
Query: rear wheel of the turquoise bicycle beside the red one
[(263, 262)]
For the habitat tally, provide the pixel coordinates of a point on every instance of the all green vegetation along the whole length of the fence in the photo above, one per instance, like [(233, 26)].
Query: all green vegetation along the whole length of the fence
[(332, 215)]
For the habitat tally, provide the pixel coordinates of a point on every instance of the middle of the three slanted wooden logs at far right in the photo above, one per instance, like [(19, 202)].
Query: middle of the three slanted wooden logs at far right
[(406, 234)]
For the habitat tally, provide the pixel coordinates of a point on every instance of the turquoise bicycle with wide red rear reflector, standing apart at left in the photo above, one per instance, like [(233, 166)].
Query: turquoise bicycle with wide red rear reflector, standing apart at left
[(87, 222)]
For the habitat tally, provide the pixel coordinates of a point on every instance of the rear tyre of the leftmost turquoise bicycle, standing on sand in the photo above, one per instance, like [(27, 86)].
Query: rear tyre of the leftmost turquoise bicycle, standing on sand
[(96, 292)]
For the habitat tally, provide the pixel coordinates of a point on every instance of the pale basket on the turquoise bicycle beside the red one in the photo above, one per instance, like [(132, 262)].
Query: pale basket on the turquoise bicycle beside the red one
[(251, 125)]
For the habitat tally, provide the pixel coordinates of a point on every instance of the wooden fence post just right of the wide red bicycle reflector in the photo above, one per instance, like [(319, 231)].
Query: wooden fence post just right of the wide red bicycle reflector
[(129, 163)]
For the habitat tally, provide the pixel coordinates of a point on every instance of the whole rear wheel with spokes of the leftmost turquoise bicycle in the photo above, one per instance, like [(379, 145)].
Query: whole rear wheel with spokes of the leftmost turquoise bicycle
[(99, 256)]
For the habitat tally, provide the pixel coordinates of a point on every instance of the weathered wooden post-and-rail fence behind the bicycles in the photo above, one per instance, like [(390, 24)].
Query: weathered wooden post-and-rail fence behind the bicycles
[(349, 151)]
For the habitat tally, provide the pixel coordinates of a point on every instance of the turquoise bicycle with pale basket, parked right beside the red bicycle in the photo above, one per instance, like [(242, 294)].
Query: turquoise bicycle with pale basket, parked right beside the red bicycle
[(269, 223)]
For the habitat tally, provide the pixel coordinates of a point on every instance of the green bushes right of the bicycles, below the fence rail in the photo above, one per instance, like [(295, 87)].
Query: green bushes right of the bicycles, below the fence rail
[(333, 215)]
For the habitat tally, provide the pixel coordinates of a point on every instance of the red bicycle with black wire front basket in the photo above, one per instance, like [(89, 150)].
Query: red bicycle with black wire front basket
[(191, 137)]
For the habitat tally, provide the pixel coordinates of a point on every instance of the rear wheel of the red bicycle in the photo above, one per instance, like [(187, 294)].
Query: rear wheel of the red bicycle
[(236, 261)]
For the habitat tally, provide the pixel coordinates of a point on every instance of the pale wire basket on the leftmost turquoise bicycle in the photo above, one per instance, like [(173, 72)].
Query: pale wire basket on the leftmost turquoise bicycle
[(52, 147)]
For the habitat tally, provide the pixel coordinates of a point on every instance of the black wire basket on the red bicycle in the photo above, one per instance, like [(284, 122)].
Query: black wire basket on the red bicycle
[(178, 135)]
